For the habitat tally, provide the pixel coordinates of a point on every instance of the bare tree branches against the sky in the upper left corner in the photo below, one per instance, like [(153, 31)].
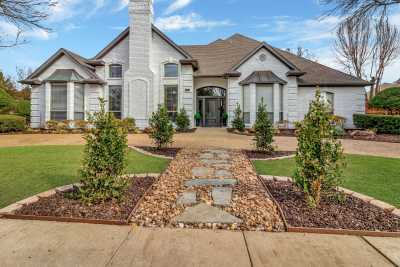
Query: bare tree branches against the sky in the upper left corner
[(25, 15)]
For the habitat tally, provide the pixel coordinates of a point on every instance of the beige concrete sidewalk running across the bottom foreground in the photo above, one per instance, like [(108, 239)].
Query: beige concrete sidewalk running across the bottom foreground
[(34, 243)]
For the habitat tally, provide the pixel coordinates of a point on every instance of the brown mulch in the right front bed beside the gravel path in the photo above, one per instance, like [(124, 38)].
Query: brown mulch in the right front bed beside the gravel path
[(353, 214)]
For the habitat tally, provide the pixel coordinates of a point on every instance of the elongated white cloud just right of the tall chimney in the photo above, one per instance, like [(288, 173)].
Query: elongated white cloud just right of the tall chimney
[(191, 21)]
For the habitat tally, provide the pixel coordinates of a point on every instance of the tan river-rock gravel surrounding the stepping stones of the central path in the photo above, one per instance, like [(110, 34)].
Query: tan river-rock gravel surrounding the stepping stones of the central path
[(249, 202)]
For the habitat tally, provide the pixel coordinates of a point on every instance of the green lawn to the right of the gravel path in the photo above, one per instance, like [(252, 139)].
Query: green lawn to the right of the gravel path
[(373, 176)]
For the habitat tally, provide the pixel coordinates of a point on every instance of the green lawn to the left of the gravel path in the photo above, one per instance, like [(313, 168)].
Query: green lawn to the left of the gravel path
[(25, 171)]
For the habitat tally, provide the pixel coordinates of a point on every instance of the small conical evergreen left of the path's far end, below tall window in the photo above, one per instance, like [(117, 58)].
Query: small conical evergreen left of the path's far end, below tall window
[(162, 130)]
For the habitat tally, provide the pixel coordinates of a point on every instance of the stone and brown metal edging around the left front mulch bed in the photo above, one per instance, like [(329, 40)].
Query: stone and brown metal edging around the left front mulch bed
[(9, 211)]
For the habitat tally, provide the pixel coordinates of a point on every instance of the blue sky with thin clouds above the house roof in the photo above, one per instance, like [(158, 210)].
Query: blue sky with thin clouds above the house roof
[(86, 26)]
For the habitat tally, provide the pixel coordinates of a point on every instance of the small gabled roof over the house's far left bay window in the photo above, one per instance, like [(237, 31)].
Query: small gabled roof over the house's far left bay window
[(79, 60)]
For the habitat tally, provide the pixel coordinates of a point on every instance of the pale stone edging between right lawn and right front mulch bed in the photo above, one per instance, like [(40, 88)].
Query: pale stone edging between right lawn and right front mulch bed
[(375, 202)]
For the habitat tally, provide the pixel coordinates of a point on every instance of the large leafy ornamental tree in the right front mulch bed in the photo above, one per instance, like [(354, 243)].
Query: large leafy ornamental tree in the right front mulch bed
[(319, 156)]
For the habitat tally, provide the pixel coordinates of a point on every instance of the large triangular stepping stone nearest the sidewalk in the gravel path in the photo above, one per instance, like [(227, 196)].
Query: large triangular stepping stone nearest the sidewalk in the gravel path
[(203, 213)]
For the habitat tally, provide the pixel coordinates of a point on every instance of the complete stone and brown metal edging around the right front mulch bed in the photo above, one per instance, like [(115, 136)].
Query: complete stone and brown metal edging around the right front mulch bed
[(367, 199)]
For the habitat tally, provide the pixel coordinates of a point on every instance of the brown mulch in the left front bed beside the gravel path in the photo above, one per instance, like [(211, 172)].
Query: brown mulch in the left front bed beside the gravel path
[(59, 205)]
